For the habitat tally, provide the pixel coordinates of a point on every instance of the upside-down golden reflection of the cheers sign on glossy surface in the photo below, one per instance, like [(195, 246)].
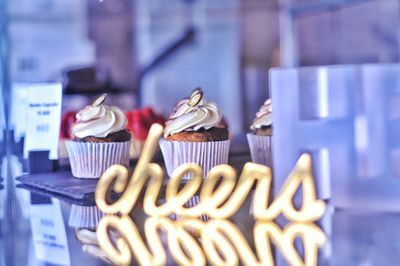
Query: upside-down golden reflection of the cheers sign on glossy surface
[(218, 242)]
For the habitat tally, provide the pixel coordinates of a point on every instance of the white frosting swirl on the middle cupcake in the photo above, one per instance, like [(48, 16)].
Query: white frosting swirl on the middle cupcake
[(192, 118)]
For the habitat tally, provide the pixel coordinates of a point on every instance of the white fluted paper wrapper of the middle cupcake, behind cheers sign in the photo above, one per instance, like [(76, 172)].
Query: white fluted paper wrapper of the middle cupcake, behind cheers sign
[(206, 154)]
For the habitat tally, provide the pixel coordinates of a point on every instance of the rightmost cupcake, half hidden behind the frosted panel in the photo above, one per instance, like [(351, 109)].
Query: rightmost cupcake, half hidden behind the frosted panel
[(260, 138)]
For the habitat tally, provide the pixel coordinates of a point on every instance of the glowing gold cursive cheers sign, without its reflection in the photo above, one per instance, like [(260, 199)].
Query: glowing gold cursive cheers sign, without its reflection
[(217, 201)]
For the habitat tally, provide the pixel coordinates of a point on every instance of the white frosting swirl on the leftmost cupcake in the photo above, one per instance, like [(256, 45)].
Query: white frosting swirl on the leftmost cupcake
[(99, 121)]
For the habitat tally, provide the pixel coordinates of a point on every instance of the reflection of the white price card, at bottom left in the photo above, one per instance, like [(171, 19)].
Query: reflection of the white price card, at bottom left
[(48, 233)]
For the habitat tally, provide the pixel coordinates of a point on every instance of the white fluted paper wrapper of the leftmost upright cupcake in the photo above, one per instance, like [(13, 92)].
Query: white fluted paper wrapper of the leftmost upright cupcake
[(91, 160)]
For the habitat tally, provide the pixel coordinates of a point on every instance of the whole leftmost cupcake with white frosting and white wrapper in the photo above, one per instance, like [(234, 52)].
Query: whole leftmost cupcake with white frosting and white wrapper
[(100, 139)]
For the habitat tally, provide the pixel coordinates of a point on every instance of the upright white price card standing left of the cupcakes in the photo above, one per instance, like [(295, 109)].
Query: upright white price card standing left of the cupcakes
[(43, 118)]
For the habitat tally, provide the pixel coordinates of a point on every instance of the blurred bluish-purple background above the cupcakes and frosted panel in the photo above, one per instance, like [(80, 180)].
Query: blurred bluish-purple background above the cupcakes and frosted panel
[(157, 51)]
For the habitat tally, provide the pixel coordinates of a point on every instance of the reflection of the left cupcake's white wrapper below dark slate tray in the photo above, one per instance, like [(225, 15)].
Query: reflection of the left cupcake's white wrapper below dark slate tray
[(84, 216)]
